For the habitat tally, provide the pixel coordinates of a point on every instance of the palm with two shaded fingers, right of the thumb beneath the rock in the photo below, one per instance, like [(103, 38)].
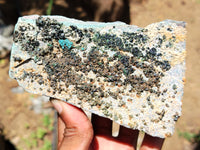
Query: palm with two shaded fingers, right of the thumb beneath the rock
[(103, 140)]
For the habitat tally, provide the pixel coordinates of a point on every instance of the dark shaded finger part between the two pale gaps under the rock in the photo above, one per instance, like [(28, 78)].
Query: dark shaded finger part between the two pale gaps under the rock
[(128, 136)]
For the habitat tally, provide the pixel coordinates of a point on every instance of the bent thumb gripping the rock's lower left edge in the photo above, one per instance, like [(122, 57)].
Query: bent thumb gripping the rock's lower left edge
[(78, 133)]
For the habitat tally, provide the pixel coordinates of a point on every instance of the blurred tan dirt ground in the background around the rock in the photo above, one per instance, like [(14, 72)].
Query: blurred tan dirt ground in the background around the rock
[(15, 111)]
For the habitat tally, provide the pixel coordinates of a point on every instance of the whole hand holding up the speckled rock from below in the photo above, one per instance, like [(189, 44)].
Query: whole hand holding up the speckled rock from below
[(76, 132)]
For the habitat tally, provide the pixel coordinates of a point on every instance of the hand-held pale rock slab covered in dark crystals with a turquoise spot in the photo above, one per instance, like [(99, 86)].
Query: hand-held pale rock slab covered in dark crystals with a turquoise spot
[(128, 74)]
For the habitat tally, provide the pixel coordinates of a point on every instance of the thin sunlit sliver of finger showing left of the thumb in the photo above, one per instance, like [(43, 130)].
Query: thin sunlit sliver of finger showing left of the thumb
[(61, 129)]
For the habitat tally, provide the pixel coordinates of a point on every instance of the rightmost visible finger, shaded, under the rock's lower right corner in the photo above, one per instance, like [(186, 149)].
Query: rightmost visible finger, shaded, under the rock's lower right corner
[(151, 143)]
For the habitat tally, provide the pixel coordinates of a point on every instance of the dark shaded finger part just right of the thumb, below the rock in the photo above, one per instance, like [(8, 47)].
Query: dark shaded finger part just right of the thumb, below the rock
[(101, 125)]
